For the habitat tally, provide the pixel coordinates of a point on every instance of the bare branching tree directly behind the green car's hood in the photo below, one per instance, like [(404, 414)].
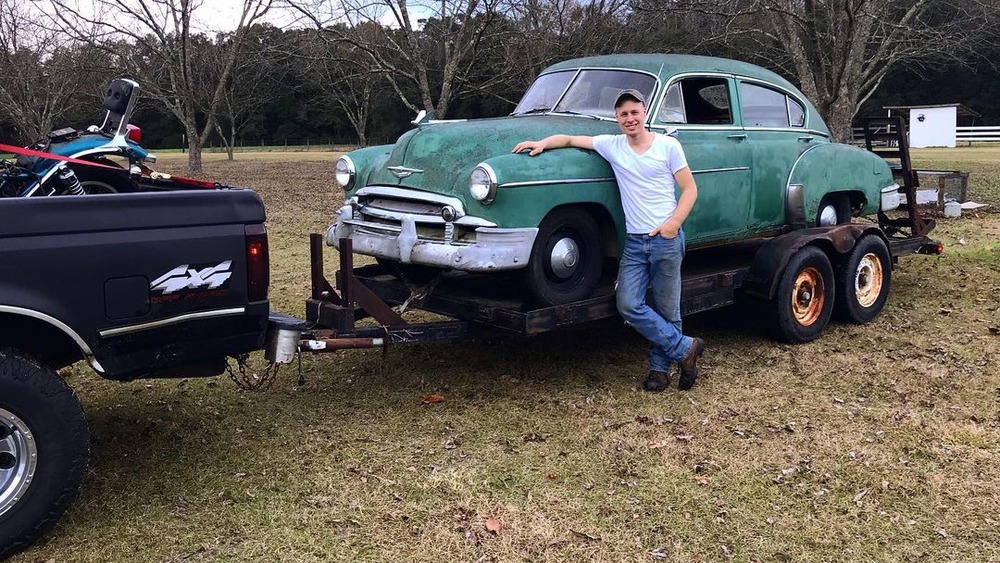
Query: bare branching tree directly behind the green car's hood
[(422, 49)]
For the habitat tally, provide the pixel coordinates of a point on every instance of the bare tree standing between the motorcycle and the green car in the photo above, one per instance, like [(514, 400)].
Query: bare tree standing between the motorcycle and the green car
[(155, 39)]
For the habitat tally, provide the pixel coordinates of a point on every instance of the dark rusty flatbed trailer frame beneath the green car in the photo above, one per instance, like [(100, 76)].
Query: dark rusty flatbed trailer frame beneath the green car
[(470, 303)]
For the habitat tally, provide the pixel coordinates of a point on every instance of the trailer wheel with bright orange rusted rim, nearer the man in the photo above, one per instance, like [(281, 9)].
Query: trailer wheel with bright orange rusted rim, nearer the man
[(805, 298)]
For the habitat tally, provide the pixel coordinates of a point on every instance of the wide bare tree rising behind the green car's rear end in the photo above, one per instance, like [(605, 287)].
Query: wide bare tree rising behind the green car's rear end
[(841, 50)]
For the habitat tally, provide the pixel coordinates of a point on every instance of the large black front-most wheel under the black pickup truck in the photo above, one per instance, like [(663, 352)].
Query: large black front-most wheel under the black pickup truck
[(44, 447)]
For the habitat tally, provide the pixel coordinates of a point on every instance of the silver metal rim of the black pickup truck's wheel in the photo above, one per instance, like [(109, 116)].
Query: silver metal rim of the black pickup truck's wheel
[(18, 458)]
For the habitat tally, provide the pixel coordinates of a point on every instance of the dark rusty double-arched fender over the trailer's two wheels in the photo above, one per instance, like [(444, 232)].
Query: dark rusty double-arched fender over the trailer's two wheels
[(770, 260)]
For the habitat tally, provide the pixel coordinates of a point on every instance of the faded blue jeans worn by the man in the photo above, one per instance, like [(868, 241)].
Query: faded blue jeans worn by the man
[(654, 261)]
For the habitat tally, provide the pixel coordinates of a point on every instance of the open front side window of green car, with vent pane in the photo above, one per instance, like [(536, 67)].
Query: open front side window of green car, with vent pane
[(697, 100)]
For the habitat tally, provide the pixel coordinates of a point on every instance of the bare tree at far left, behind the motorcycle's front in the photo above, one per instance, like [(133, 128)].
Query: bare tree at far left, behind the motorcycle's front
[(46, 76)]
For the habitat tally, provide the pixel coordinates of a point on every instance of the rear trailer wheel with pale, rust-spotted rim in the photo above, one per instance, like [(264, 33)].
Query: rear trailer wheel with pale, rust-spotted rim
[(863, 281)]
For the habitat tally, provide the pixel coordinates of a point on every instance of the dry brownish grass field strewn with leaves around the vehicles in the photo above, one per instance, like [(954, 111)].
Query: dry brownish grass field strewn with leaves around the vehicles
[(873, 443)]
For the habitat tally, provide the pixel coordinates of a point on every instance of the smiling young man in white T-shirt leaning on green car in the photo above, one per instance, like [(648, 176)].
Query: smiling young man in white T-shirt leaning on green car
[(647, 167)]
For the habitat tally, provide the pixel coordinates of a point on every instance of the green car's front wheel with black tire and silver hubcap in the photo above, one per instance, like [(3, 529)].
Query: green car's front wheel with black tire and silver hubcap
[(566, 261)]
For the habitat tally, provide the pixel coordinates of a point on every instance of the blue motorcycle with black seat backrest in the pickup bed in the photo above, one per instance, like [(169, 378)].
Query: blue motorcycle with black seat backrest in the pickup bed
[(101, 159)]
